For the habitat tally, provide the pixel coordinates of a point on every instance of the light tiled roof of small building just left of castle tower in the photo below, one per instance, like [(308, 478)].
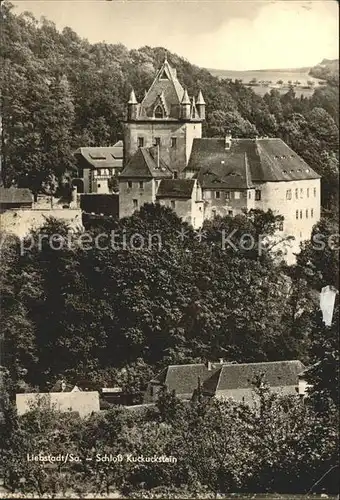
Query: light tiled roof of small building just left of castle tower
[(102, 157)]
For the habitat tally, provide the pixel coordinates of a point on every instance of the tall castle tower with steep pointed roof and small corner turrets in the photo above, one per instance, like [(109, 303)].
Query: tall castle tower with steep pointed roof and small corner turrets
[(164, 118)]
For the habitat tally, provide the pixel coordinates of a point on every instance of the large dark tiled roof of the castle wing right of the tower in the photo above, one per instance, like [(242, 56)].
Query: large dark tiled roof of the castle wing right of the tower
[(247, 161)]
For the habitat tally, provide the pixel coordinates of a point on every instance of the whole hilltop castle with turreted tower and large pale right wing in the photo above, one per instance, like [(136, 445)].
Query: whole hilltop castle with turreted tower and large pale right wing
[(166, 161)]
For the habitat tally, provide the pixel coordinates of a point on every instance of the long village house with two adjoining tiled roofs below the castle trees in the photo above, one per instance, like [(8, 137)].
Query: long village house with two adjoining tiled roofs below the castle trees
[(226, 380)]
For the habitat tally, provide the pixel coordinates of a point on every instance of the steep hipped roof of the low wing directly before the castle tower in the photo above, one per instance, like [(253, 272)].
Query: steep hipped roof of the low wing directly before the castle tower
[(145, 164)]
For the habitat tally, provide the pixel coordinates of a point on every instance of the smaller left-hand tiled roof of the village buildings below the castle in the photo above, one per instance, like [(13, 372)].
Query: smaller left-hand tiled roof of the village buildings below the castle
[(183, 379)]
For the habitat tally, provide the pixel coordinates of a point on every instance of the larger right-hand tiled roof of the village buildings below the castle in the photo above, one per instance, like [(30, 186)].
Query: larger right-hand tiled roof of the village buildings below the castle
[(241, 376)]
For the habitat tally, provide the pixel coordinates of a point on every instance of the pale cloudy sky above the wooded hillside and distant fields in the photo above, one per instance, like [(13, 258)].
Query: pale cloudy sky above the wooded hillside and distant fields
[(220, 34)]
